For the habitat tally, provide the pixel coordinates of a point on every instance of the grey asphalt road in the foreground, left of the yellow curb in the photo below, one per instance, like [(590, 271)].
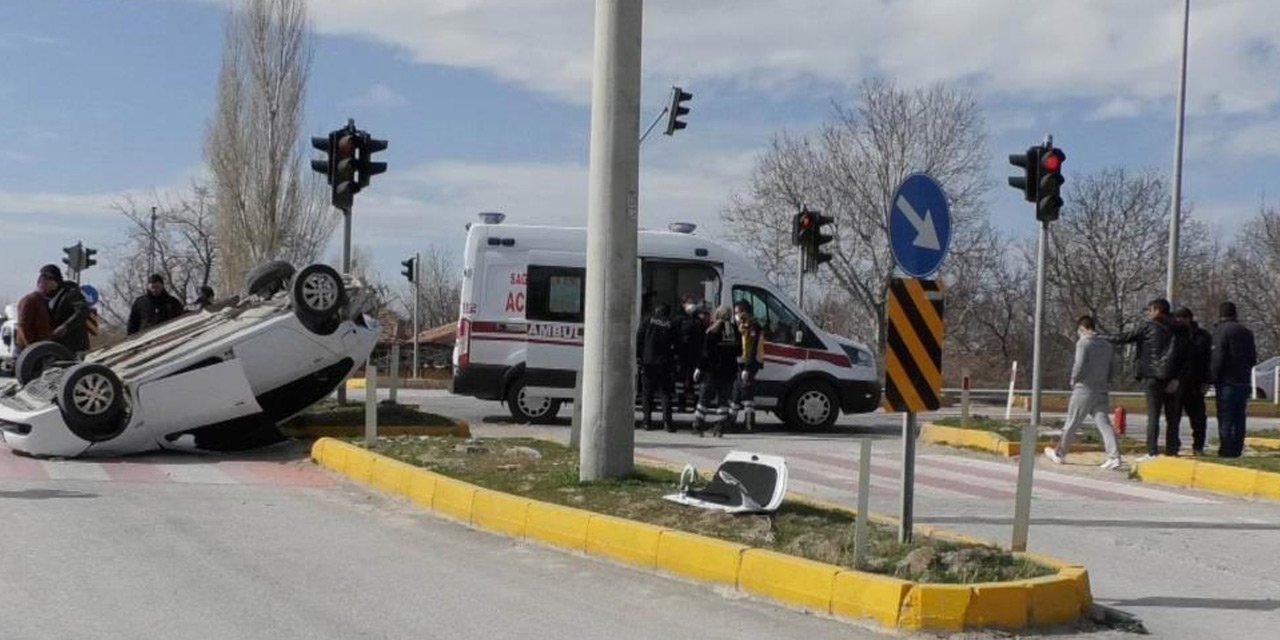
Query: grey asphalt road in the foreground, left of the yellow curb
[(269, 547)]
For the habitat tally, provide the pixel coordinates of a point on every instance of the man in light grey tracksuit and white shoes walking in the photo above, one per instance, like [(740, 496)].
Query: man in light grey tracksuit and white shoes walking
[(1091, 382)]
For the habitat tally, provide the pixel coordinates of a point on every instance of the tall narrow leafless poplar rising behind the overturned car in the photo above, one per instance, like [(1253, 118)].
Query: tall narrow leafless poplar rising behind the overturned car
[(268, 205)]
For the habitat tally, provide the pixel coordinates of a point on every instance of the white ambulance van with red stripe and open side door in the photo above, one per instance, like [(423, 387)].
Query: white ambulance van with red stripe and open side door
[(520, 324)]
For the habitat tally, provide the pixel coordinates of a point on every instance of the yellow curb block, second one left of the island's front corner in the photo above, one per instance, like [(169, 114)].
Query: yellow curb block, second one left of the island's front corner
[(788, 579)]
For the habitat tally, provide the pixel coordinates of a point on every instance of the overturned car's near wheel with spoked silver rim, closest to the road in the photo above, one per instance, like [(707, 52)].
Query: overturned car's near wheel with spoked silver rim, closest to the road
[(93, 403)]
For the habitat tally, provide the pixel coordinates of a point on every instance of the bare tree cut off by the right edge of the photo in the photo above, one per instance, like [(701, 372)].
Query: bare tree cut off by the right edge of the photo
[(1254, 271)]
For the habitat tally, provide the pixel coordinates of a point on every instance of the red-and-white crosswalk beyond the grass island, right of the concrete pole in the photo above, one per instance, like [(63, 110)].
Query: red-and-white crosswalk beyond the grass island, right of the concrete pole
[(941, 477)]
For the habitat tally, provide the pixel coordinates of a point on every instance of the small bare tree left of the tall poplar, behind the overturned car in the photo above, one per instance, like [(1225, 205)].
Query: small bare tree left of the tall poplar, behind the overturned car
[(182, 248)]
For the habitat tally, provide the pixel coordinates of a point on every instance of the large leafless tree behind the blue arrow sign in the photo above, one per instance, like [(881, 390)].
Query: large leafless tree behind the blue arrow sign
[(849, 170)]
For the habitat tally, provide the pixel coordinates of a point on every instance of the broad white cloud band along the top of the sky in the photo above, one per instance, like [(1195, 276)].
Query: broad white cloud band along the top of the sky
[(1107, 52)]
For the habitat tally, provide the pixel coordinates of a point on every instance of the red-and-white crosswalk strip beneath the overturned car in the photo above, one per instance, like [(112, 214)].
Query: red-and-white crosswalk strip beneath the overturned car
[(164, 468)]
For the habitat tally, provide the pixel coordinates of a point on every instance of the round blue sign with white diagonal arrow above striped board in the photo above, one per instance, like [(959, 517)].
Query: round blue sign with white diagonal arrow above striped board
[(920, 226)]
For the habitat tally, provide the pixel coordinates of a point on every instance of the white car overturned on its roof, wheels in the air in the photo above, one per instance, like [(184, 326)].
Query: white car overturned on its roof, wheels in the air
[(216, 381)]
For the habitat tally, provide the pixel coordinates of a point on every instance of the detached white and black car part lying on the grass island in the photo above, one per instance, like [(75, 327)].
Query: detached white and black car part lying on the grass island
[(744, 483)]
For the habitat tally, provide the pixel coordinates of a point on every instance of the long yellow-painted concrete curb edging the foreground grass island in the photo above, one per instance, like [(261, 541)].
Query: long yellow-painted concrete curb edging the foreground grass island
[(811, 586)]
